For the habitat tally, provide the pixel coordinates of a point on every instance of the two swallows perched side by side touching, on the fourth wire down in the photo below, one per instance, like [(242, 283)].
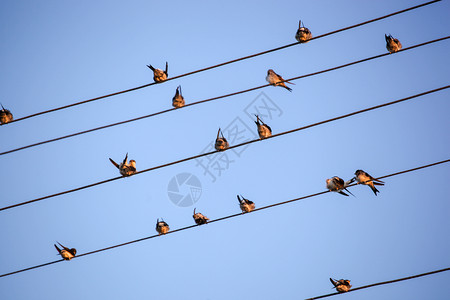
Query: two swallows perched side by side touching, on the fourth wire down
[(337, 184)]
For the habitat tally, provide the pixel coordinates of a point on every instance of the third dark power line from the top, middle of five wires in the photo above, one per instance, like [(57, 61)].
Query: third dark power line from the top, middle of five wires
[(231, 147)]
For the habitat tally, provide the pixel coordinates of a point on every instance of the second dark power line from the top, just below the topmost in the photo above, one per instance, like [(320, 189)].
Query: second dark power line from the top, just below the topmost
[(215, 98)]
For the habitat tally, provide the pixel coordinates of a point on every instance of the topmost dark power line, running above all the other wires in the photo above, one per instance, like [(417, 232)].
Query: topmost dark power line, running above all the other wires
[(224, 63)]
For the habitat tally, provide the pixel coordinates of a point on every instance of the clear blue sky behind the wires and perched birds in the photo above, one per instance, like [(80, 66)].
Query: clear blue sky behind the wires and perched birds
[(55, 53)]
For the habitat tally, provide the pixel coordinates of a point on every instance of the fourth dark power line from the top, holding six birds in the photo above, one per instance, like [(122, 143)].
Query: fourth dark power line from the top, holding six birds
[(221, 219)]
